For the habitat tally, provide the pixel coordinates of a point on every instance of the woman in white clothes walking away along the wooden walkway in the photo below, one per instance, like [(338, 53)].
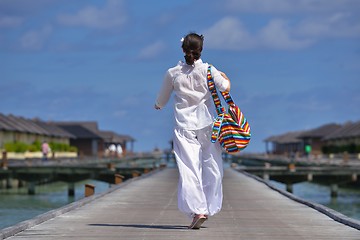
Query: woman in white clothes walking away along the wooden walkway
[(199, 161)]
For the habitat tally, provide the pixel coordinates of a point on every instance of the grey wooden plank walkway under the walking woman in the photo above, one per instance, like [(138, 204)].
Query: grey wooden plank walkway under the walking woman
[(147, 209)]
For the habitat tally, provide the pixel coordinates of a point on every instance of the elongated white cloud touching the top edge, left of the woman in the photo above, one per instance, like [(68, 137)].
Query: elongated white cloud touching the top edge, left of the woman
[(111, 16)]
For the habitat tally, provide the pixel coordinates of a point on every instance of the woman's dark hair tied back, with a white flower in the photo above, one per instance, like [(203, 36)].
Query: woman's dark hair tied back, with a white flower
[(192, 46)]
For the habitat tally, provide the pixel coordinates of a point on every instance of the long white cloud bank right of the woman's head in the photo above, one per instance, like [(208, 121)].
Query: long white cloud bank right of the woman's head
[(283, 34)]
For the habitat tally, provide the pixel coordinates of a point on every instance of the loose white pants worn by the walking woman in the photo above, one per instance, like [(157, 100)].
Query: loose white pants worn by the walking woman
[(201, 172)]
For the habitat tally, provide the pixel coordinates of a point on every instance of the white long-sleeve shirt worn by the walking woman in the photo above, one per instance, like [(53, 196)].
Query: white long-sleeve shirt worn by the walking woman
[(193, 105)]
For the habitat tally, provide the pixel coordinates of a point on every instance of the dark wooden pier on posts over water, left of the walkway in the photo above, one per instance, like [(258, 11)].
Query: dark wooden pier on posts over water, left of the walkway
[(34, 172)]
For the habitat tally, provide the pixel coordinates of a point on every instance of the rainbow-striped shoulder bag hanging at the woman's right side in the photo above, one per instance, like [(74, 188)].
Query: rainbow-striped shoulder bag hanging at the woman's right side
[(230, 128)]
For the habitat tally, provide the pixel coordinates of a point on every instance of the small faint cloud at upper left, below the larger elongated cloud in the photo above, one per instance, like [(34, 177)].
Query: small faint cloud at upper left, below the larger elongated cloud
[(35, 40)]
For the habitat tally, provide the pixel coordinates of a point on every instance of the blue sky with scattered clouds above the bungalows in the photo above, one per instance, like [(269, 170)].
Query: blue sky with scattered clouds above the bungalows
[(294, 65)]
